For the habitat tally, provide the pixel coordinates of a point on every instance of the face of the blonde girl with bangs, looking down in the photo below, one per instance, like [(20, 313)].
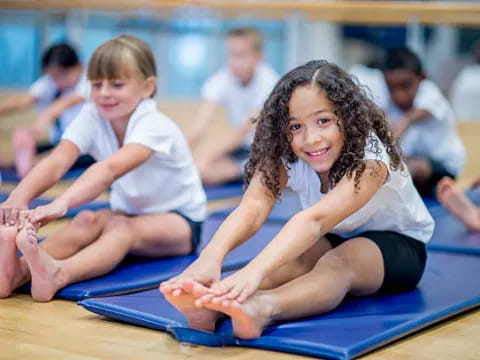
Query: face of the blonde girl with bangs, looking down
[(116, 99)]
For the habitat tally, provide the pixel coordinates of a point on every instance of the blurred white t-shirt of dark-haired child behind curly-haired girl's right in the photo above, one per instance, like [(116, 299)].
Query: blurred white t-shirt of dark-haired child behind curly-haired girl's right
[(435, 138)]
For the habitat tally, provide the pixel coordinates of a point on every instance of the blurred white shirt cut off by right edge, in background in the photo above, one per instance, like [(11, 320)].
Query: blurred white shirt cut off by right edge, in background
[(465, 93)]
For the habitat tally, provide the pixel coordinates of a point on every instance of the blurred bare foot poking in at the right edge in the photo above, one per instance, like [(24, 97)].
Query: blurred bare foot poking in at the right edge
[(454, 200)]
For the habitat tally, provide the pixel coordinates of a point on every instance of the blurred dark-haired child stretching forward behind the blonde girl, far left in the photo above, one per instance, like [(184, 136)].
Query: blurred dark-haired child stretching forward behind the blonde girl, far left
[(59, 96)]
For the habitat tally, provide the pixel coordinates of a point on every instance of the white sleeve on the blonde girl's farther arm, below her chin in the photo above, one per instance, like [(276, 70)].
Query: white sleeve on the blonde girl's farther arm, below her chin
[(82, 130)]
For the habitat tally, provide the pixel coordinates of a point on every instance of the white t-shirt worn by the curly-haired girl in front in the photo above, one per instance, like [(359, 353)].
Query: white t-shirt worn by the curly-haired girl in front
[(396, 206)]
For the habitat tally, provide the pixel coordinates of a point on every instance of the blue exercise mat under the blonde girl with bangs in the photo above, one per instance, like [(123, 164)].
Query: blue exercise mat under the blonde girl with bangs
[(135, 274)]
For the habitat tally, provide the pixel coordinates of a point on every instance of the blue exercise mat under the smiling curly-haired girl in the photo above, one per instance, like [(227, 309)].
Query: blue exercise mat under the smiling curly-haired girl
[(357, 326)]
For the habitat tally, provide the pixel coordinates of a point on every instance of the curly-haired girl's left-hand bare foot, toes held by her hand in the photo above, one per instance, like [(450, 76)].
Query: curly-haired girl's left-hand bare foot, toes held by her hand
[(184, 301)]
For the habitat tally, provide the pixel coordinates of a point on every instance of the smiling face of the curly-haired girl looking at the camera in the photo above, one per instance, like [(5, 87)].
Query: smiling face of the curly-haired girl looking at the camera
[(317, 138)]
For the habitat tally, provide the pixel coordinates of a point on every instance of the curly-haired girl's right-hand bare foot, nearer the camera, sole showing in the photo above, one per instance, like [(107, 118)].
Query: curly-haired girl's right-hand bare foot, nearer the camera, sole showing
[(248, 318)]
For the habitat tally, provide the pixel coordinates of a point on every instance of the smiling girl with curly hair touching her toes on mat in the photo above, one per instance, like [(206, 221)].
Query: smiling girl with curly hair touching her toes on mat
[(363, 226)]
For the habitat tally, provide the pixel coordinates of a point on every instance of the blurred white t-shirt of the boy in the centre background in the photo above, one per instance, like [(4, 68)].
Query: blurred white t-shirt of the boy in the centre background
[(240, 102)]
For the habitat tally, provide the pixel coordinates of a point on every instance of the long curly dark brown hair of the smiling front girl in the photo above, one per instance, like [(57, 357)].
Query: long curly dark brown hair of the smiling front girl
[(360, 118)]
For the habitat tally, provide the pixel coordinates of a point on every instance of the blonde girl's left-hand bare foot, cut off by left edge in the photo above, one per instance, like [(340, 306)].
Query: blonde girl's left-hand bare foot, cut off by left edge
[(12, 274)]
